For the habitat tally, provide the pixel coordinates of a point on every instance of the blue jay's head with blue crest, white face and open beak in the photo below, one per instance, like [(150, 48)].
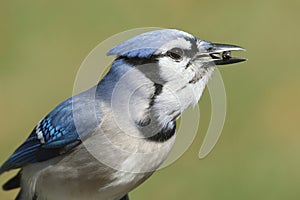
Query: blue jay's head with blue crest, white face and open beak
[(176, 61)]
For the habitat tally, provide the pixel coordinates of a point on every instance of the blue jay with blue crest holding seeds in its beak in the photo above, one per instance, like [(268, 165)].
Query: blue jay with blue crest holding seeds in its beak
[(104, 142)]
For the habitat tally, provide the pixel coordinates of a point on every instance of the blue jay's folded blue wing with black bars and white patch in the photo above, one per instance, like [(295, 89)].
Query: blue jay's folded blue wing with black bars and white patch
[(60, 131)]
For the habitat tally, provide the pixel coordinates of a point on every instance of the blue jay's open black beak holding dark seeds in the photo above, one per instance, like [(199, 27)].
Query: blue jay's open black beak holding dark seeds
[(221, 53)]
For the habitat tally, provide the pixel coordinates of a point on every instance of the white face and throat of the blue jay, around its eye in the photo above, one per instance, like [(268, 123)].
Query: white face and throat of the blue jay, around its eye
[(184, 73)]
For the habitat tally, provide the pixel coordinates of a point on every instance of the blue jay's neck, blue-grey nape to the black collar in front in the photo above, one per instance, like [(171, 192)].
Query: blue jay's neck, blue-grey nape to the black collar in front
[(137, 101)]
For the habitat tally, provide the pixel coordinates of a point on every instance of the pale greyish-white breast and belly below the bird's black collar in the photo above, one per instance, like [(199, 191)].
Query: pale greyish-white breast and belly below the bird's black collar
[(84, 175)]
